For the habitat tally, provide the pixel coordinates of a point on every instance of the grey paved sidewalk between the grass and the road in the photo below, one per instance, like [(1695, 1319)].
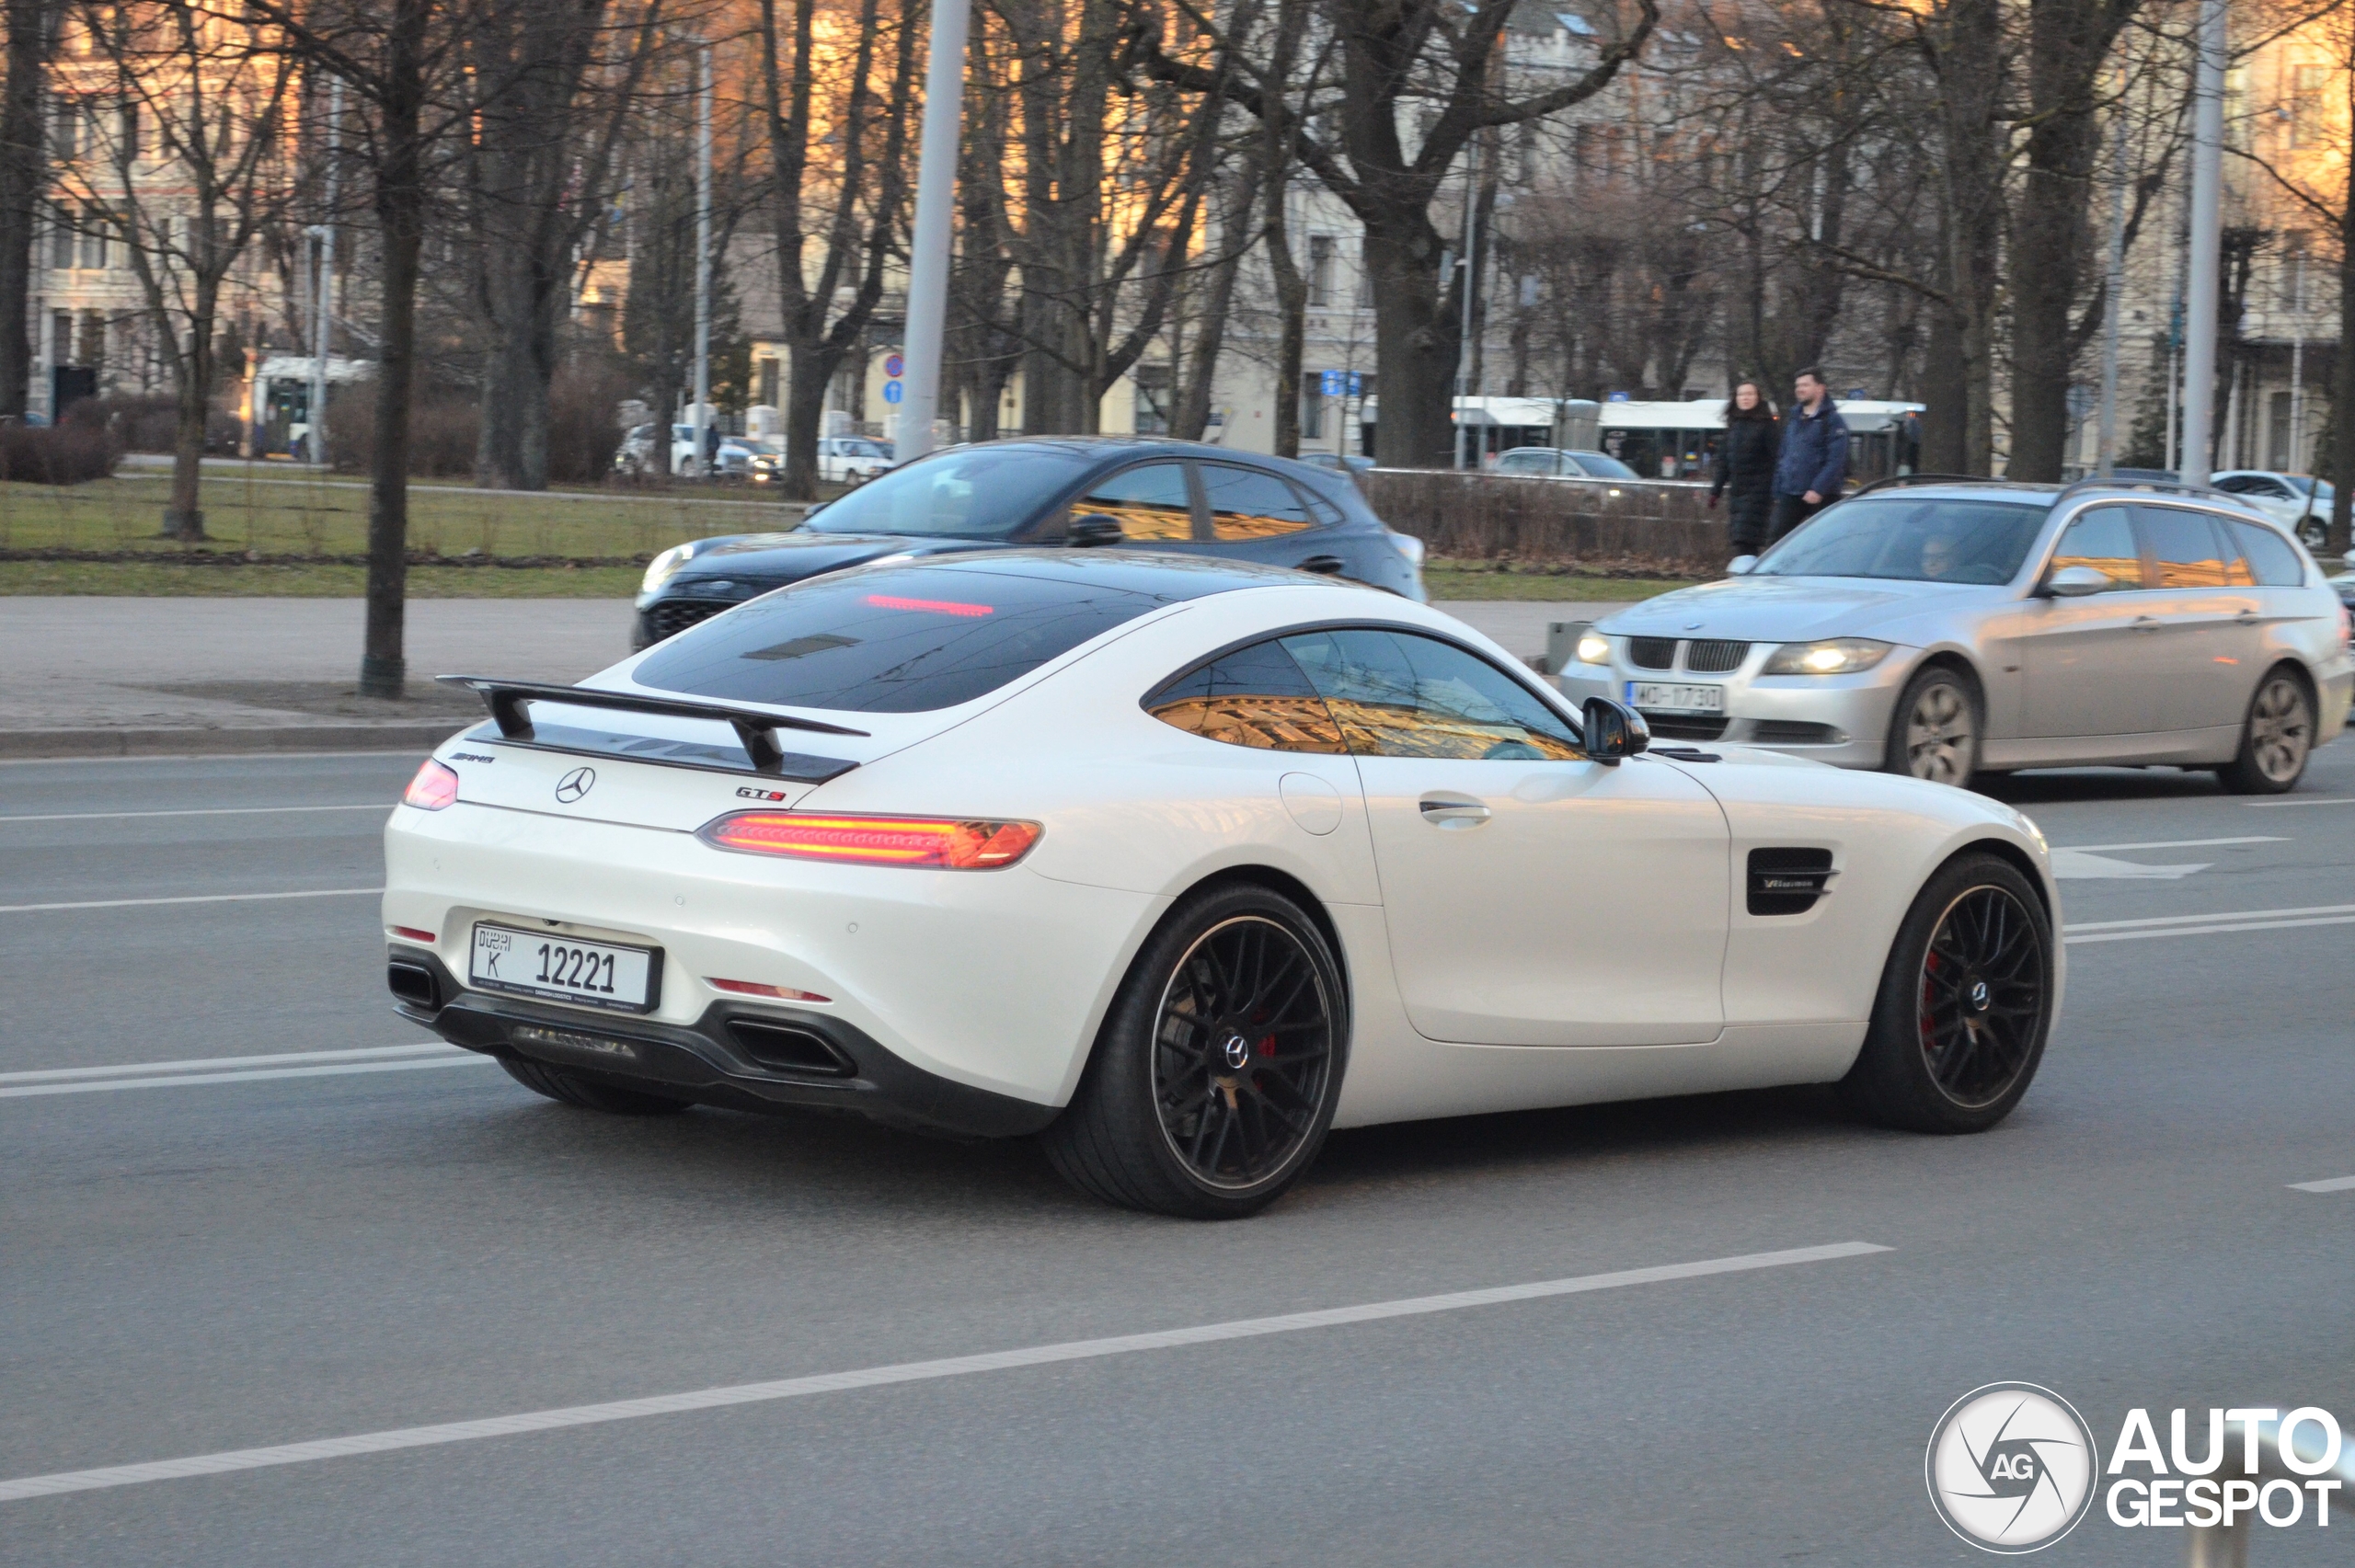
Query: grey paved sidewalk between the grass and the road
[(166, 677)]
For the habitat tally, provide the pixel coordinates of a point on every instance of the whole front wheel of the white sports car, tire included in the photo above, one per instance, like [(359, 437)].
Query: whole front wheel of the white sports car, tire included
[(1965, 1004)]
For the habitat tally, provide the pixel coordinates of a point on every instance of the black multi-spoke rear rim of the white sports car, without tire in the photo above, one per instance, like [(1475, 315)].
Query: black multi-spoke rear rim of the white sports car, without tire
[(1242, 1054)]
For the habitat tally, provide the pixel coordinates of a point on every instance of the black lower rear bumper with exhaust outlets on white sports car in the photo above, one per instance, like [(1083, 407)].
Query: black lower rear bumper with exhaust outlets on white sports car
[(734, 1056)]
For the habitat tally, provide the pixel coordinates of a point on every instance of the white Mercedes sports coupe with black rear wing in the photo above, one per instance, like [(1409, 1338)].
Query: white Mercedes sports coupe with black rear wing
[(1179, 865)]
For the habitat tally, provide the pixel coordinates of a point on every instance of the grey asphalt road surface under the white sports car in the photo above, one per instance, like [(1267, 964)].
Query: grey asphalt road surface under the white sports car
[(201, 1261)]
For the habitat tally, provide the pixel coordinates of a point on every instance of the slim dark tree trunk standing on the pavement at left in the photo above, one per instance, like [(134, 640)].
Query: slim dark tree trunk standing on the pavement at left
[(402, 215)]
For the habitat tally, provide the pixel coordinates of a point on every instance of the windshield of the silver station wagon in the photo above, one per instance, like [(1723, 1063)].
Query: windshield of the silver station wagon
[(1913, 540)]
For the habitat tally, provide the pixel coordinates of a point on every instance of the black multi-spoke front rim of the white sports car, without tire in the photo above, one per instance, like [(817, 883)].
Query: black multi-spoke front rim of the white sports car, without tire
[(1982, 997)]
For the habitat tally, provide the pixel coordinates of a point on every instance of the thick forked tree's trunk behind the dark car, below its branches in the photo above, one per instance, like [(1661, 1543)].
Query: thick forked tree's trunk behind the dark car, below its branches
[(1414, 345)]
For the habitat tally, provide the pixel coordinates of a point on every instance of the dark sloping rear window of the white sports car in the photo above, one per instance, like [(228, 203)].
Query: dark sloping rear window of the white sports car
[(915, 639)]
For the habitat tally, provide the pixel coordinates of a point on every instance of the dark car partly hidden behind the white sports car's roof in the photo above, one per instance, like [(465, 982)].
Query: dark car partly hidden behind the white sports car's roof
[(1080, 491)]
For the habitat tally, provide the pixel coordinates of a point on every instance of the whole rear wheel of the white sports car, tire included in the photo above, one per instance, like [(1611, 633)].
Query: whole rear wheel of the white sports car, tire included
[(1209, 1094)]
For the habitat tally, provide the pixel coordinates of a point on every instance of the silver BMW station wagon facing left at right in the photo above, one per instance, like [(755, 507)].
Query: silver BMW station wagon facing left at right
[(1953, 630)]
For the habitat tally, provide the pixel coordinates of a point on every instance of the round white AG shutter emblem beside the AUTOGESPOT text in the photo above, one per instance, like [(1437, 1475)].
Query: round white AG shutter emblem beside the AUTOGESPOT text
[(2012, 1468)]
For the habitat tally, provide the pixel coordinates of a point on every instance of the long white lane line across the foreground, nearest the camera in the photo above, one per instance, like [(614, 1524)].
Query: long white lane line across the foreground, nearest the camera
[(905, 1371)]
